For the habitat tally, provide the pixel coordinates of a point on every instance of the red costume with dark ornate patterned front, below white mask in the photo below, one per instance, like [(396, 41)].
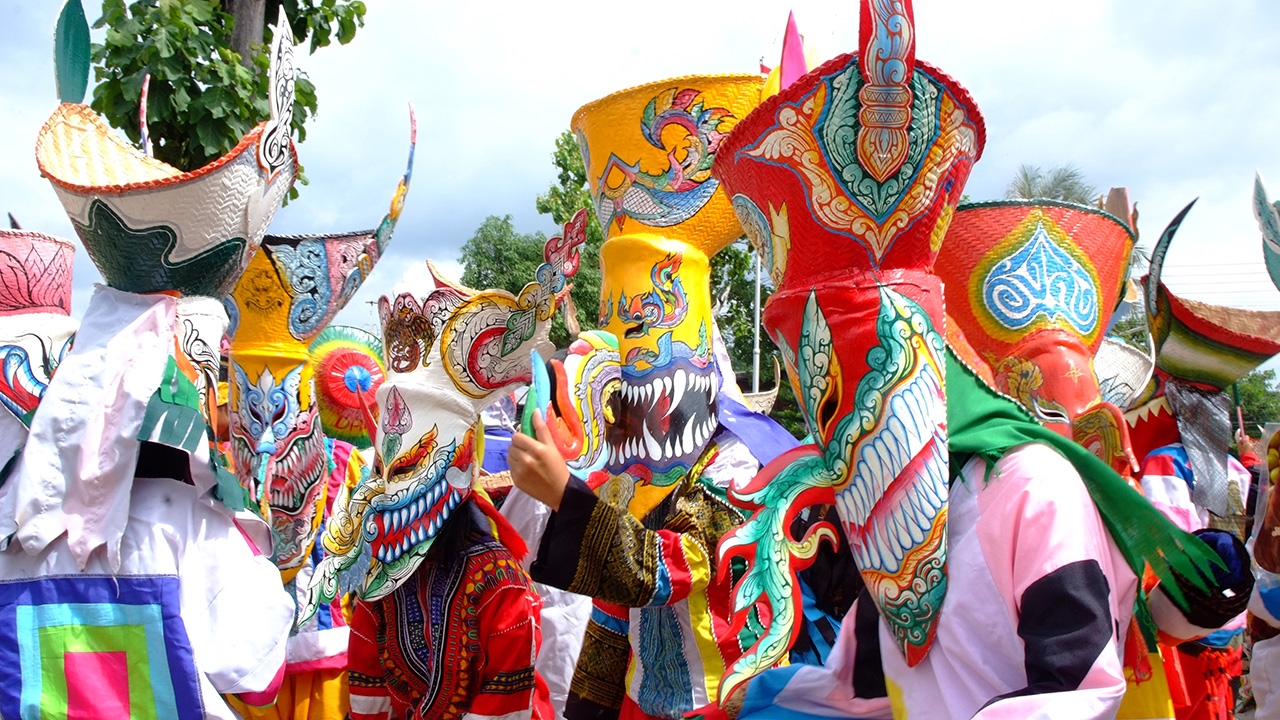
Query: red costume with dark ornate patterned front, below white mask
[(451, 632)]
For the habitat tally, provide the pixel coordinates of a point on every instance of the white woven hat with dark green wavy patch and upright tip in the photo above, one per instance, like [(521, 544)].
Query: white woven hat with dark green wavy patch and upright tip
[(150, 227)]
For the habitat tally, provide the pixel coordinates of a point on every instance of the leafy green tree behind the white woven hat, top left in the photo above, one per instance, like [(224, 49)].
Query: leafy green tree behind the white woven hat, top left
[(209, 69)]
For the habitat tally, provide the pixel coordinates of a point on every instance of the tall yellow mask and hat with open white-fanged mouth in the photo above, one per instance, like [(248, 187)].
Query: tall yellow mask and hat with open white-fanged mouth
[(648, 154)]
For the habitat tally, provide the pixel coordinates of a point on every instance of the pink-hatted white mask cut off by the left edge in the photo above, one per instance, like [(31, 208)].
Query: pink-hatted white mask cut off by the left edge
[(35, 327)]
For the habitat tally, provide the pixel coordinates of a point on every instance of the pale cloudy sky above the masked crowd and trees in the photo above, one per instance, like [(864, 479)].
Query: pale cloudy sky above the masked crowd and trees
[(1174, 99)]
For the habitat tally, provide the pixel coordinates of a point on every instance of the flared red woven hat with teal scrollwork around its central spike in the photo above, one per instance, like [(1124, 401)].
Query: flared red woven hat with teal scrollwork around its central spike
[(815, 208)]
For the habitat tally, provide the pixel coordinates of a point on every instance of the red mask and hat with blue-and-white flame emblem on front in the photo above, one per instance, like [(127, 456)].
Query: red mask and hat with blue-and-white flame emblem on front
[(1034, 284)]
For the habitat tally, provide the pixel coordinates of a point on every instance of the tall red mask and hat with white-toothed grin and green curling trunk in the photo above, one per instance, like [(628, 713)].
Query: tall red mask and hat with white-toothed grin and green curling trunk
[(847, 183)]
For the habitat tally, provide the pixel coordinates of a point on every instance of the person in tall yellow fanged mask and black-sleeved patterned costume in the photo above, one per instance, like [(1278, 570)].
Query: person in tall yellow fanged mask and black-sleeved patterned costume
[(639, 532)]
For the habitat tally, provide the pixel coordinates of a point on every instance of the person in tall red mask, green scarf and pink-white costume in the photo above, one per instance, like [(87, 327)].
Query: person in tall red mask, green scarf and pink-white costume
[(994, 549)]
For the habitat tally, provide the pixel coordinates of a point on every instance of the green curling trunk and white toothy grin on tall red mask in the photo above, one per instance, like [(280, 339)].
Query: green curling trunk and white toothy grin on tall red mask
[(885, 467)]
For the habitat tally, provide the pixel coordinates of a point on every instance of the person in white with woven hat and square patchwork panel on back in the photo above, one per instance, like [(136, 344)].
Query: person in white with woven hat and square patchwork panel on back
[(129, 553)]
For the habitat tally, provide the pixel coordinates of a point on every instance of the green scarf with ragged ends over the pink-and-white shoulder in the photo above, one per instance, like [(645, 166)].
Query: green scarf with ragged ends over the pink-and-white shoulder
[(985, 425)]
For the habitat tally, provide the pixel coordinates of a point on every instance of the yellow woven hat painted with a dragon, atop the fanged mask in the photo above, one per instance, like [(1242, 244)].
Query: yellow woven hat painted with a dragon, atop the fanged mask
[(648, 154)]
